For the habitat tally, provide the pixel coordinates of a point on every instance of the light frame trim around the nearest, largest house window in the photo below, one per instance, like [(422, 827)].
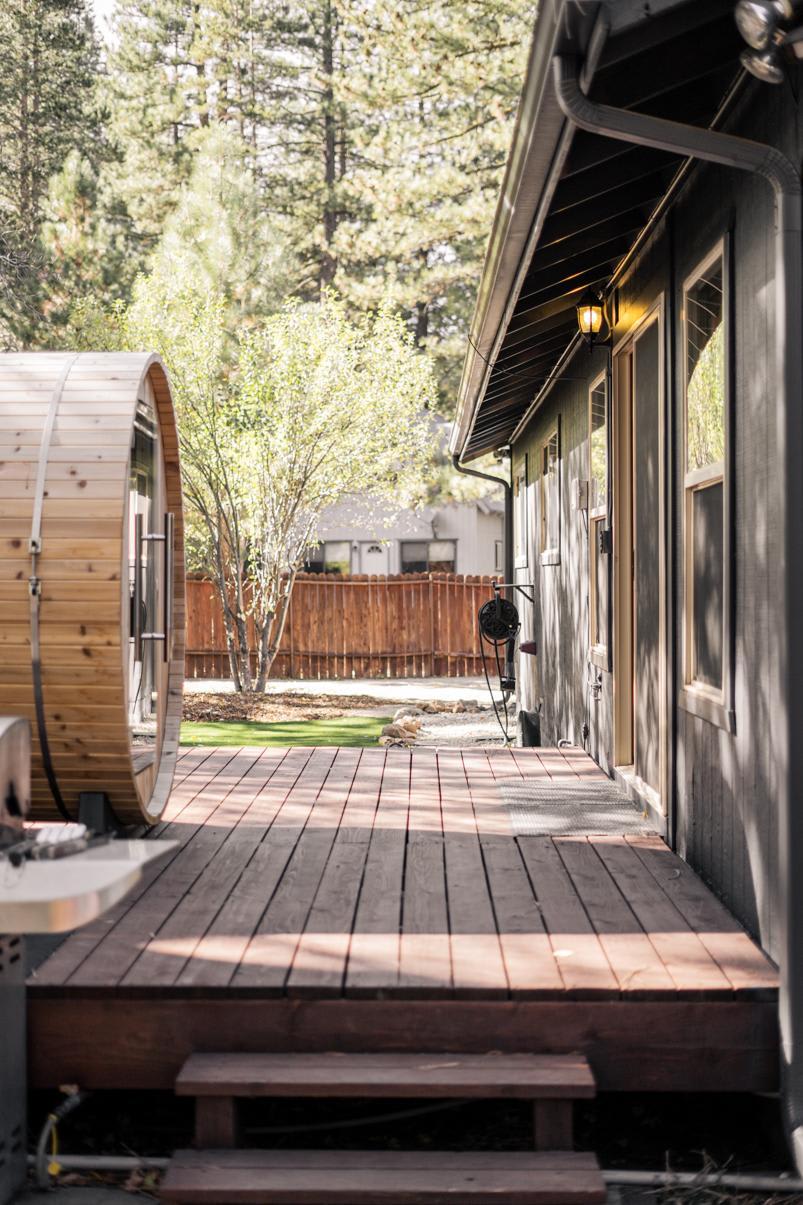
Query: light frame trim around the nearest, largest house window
[(712, 704)]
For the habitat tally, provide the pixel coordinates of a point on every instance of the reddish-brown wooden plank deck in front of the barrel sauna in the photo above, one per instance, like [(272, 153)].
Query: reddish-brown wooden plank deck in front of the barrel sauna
[(362, 900)]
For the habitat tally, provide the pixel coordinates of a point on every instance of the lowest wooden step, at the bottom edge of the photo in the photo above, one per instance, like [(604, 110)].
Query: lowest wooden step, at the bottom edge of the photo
[(391, 1178)]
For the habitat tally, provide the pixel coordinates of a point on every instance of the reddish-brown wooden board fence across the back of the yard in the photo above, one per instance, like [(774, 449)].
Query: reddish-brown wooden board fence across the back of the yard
[(406, 626)]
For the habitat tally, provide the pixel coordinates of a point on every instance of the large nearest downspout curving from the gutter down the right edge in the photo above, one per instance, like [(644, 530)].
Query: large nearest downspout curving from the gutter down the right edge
[(788, 653)]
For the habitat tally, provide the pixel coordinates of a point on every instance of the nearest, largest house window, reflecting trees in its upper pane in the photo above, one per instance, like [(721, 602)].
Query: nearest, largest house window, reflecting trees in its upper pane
[(706, 604)]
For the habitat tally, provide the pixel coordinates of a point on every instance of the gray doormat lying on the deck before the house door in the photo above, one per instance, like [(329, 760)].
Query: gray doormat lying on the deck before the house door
[(553, 808)]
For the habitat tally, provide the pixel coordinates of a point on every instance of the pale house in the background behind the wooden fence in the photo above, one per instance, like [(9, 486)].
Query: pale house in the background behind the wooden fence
[(458, 538)]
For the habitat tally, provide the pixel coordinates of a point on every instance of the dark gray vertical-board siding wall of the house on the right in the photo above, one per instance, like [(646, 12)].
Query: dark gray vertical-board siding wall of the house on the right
[(722, 784)]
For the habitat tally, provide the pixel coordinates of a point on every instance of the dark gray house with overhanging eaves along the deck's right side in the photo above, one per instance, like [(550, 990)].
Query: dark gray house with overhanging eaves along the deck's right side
[(658, 479)]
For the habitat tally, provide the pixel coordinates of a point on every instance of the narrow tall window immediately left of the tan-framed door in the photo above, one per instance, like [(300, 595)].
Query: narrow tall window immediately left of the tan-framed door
[(599, 521)]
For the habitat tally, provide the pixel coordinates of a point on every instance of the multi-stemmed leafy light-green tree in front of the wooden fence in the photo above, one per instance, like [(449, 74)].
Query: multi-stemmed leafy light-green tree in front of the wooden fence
[(314, 409)]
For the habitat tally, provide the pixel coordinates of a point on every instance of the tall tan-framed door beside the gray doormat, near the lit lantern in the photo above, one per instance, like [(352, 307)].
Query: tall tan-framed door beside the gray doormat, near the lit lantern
[(640, 561)]
